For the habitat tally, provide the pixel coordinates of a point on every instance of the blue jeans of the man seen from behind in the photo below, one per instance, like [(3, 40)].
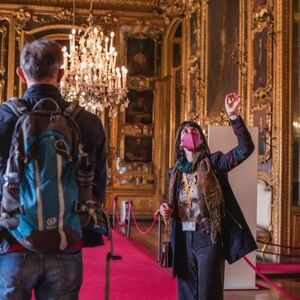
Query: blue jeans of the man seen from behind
[(51, 276)]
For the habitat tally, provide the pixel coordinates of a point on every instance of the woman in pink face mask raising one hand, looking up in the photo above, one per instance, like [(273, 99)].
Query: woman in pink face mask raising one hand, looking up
[(206, 217)]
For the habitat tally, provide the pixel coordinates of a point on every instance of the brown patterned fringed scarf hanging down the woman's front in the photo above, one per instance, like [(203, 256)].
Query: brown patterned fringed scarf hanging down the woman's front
[(209, 186)]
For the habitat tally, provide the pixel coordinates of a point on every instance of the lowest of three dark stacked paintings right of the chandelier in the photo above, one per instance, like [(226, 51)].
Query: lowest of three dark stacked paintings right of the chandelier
[(138, 149)]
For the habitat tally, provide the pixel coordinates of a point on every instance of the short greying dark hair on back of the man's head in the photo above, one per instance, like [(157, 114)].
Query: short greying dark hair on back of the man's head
[(41, 59)]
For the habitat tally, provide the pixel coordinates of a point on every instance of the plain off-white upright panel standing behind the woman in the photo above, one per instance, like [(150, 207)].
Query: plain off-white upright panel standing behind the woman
[(243, 180)]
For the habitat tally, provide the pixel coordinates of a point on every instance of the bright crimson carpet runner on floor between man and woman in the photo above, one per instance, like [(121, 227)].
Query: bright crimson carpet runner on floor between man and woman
[(135, 277)]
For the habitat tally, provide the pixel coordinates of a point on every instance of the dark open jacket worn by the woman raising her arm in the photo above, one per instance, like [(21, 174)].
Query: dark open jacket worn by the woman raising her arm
[(236, 237)]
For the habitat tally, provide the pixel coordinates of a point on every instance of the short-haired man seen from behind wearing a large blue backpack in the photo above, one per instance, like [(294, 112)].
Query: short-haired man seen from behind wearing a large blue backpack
[(43, 253)]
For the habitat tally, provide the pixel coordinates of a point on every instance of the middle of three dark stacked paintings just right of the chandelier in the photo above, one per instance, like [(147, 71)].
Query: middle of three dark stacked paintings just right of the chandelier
[(140, 108)]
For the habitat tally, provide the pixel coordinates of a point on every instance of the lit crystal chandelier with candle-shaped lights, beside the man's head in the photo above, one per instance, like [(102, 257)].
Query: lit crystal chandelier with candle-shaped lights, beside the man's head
[(91, 75)]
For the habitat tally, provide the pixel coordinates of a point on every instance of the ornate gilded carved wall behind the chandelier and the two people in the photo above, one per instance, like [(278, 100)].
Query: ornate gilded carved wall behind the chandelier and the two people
[(258, 57)]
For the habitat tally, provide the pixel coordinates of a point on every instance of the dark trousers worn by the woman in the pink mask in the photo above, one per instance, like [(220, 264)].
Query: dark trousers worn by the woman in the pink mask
[(201, 267)]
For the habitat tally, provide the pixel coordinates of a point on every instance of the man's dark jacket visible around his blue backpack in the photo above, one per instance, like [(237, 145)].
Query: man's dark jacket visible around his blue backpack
[(92, 137)]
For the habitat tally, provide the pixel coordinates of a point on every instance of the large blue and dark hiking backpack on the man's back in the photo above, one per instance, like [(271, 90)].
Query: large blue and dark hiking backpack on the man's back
[(44, 180)]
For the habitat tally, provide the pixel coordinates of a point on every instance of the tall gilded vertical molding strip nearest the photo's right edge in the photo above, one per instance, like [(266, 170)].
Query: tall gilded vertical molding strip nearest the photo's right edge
[(281, 124)]
